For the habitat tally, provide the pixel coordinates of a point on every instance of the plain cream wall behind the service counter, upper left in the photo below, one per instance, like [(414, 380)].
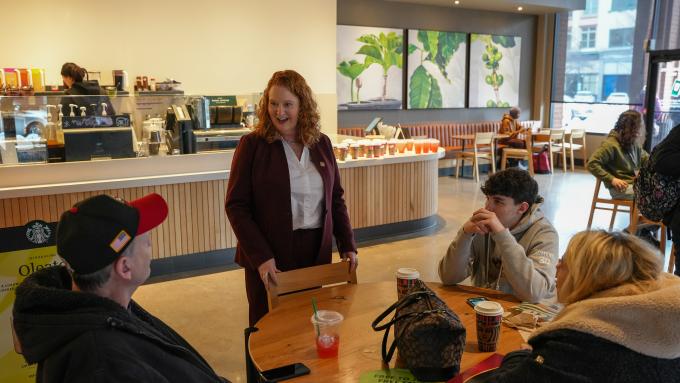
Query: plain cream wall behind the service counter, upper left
[(211, 46)]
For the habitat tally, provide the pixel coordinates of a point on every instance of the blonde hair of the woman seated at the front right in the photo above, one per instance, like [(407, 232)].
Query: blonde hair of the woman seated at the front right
[(599, 260)]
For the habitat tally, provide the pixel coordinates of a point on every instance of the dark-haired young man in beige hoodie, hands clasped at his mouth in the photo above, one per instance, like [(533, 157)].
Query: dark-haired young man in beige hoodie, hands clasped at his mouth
[(508, 244)]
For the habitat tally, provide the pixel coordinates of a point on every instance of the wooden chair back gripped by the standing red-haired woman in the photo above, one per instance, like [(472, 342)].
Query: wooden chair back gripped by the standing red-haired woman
[(309, 277)]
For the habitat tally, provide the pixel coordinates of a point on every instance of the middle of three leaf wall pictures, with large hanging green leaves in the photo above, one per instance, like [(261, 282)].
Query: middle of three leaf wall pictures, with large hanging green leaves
[(436, 69)]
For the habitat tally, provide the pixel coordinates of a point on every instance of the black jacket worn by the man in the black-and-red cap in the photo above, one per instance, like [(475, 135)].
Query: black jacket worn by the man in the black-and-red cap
[(82, 337)]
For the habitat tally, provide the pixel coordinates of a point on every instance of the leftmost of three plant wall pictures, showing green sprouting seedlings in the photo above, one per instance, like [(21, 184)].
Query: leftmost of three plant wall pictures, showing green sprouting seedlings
[(369, 64)]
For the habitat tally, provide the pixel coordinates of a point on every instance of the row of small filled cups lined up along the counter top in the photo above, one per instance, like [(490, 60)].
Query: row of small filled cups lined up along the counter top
[(379, 148)]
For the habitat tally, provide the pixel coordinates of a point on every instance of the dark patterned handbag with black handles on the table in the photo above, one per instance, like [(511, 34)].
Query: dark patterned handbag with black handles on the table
[(429, 336)]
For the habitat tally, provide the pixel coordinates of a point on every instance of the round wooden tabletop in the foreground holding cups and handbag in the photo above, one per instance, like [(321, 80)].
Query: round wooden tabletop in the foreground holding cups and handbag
[(286, 334)]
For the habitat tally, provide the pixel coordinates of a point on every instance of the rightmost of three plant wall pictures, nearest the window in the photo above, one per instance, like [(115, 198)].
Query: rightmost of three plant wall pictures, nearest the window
[(494, 70)]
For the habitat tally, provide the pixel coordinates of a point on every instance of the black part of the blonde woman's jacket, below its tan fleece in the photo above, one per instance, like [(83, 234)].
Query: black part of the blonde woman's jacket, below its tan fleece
[(574, 356)]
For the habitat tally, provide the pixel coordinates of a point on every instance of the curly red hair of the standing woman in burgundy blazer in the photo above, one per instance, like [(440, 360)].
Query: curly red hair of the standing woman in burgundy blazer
[(308, 117)]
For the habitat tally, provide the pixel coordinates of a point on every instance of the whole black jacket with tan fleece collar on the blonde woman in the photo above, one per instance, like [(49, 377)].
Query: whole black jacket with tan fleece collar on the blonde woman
[(628, 333)]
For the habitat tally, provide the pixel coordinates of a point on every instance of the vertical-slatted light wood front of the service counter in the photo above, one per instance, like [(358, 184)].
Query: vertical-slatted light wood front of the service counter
[(375, 195)]
